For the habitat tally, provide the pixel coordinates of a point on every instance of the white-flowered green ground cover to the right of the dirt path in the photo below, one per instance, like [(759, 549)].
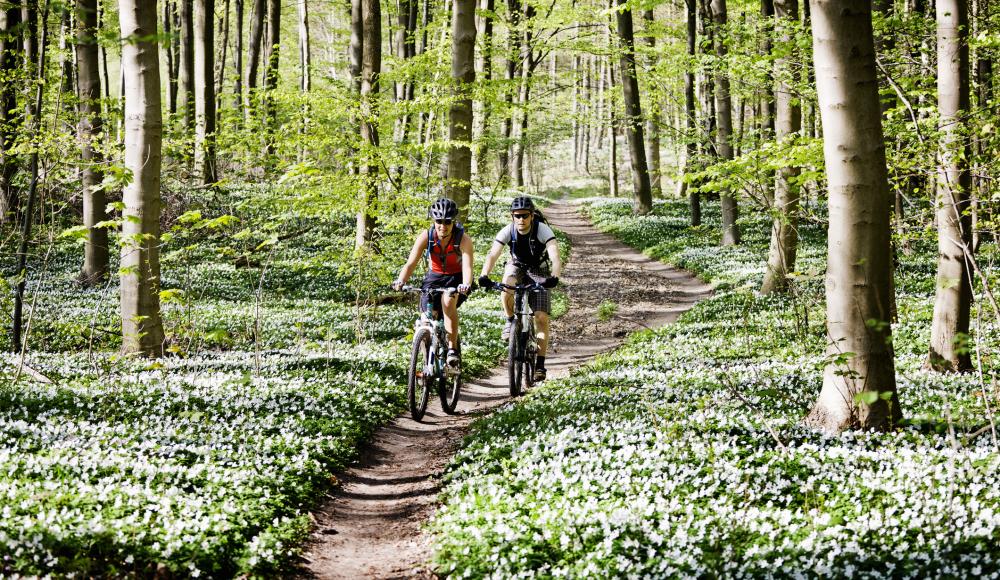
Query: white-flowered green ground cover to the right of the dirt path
[(681, 454)]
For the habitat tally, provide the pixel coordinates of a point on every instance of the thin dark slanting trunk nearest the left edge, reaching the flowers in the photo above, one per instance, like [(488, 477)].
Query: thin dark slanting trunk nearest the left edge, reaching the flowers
[(33, 113)]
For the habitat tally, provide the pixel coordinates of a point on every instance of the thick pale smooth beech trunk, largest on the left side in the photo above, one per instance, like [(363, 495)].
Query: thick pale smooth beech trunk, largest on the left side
[(142, 327)]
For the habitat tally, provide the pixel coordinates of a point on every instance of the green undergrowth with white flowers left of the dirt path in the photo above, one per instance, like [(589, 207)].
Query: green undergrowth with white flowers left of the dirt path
[(287, 356)]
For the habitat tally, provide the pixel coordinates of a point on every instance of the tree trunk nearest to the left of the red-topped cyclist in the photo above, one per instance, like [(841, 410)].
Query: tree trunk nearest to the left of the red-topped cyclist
[(371, 68)]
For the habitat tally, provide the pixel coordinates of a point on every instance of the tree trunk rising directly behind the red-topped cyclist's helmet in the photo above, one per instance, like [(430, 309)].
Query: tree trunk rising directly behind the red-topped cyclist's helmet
[(463, 75)]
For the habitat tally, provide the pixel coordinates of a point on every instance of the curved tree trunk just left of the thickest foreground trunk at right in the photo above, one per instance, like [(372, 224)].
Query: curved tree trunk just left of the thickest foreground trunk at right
[(788, 122)]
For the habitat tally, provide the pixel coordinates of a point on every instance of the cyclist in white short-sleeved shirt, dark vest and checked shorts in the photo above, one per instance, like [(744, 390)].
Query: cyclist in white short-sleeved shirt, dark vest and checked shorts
[(534, 255)]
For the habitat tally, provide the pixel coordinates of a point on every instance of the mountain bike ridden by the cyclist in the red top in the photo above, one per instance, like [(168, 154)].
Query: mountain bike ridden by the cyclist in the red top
[(428, 366)]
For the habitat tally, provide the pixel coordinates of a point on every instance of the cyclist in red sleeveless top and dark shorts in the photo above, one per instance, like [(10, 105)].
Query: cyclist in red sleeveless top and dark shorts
[(449, 254)]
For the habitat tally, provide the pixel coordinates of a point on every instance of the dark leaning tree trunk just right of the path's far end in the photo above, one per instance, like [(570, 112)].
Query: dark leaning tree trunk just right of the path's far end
[(642, 193)]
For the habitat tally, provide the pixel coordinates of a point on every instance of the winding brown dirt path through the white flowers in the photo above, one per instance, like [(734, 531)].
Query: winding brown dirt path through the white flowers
[(371, 525)]
